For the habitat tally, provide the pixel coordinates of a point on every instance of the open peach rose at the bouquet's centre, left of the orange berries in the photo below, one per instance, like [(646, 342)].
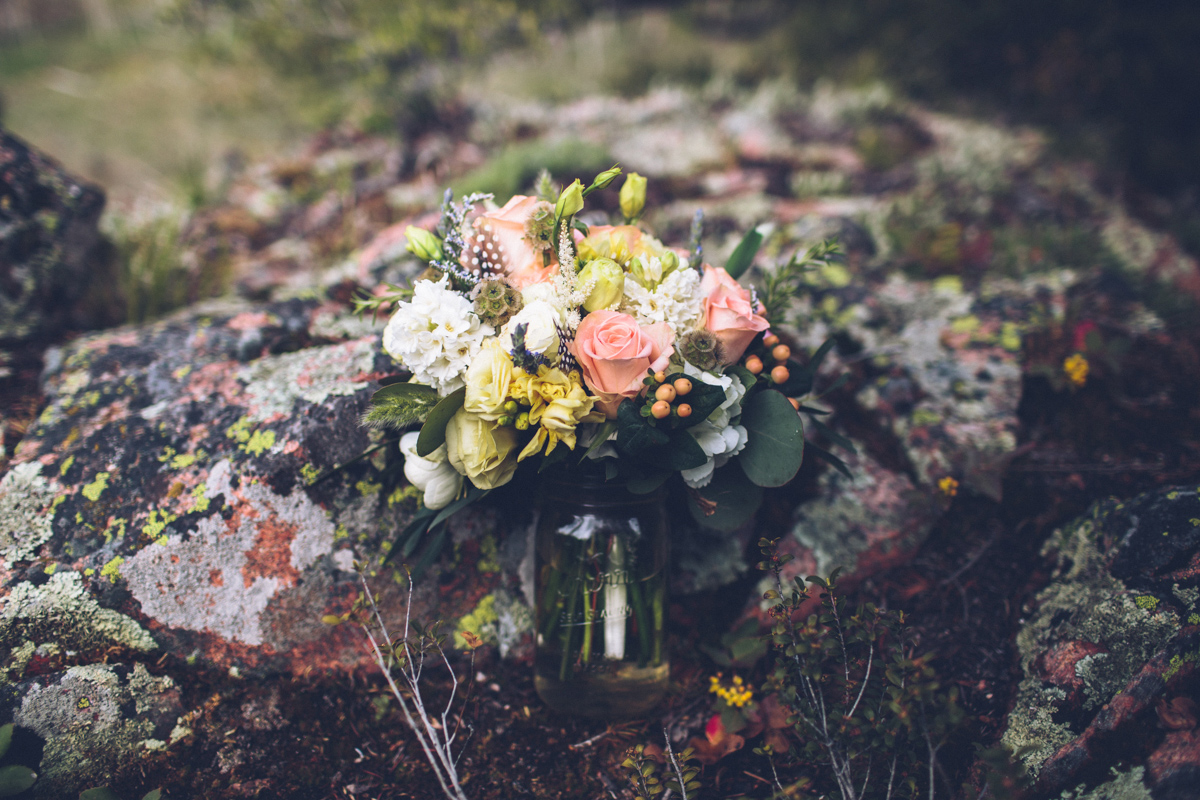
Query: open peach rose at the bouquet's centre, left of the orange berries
[(615, 353)]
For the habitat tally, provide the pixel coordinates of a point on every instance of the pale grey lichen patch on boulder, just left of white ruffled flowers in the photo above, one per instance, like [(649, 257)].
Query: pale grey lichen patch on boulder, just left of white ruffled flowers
[(275, 383)]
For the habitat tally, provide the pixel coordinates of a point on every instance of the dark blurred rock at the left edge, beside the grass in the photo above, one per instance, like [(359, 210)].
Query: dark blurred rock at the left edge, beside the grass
[(50, 244)]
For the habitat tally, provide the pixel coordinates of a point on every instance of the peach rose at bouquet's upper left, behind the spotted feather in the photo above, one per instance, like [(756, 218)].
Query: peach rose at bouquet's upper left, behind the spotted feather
[(503, 237)]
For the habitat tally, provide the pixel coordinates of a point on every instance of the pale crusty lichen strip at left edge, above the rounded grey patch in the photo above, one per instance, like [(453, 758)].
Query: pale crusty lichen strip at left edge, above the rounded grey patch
[(62, 611)]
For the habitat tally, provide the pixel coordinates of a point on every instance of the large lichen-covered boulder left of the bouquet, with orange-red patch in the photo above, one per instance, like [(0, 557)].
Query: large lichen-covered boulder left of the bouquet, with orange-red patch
[(167, 500)]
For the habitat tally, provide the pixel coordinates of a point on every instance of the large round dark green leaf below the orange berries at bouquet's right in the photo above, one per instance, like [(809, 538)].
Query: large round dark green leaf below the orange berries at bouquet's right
[(776, 440)]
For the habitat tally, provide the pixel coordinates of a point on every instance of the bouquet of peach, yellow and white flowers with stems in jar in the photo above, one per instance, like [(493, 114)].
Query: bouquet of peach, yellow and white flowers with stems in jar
[(596, 352)]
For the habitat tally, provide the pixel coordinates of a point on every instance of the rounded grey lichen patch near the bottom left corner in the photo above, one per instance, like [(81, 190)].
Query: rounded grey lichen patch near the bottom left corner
[(86, 720)]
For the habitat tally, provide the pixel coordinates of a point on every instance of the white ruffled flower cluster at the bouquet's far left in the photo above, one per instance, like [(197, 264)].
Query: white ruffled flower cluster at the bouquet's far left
[(436, 335)]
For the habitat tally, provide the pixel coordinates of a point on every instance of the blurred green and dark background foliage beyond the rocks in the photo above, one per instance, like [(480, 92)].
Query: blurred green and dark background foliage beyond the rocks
[(145, 97)]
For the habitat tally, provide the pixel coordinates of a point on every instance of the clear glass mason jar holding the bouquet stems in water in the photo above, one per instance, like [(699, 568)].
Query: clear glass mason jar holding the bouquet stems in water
[(602, 585)]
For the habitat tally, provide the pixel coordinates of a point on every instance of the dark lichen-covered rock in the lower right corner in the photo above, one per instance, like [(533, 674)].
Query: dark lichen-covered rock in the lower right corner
[(1112, 649)]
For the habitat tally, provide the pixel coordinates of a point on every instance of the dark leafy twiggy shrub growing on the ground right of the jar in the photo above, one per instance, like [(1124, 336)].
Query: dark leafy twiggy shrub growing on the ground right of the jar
[(867, 711)]
